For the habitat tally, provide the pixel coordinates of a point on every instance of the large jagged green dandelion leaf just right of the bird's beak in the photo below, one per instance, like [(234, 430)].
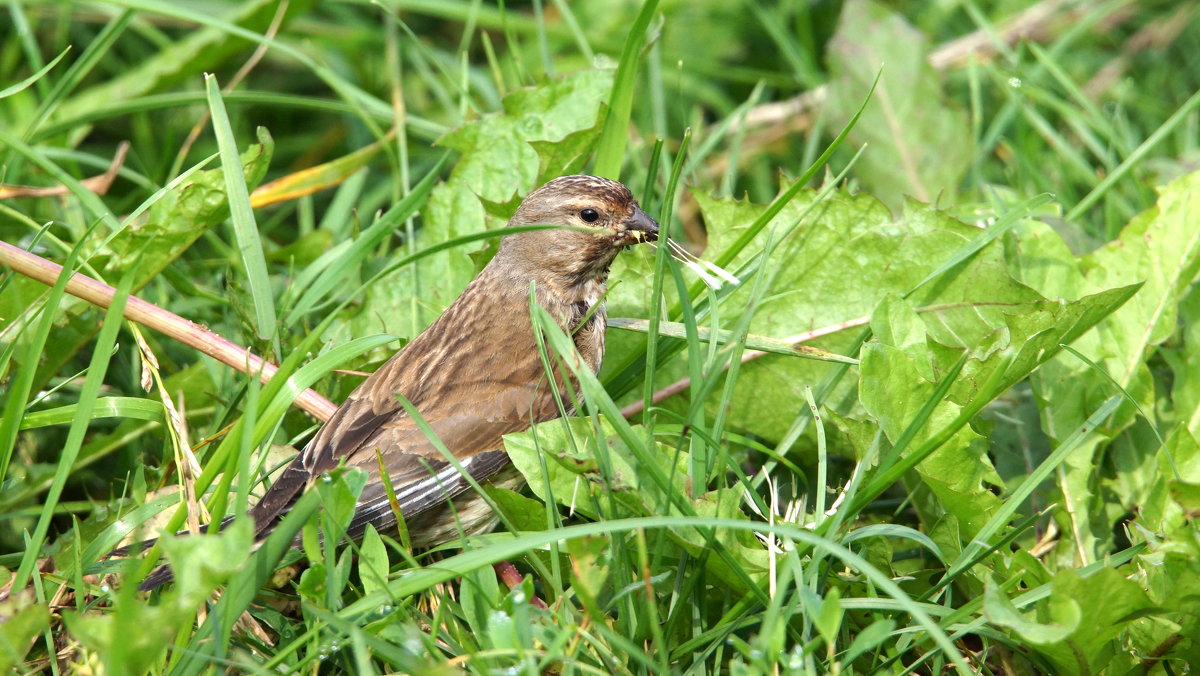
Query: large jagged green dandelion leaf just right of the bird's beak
[(847, 255)]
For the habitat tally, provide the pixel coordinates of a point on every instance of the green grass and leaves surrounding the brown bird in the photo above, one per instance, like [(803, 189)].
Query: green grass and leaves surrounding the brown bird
[(991, 207)]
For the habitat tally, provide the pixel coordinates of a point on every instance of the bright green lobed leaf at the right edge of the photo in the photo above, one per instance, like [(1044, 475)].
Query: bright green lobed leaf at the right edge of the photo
[(1161, 249)]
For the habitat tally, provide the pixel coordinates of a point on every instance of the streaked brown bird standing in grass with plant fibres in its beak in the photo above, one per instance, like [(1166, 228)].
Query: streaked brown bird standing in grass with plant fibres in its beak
[(476, 374)]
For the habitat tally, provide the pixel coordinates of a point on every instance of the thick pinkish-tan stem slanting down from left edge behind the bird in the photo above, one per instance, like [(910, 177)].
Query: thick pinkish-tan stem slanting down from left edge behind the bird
[(169, 324)]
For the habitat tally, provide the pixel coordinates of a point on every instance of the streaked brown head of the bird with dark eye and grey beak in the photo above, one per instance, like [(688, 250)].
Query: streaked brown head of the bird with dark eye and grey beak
[(605, 218)]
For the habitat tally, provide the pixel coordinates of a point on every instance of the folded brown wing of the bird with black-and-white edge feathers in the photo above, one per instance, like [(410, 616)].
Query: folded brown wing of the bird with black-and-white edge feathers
[(470, 398)]
